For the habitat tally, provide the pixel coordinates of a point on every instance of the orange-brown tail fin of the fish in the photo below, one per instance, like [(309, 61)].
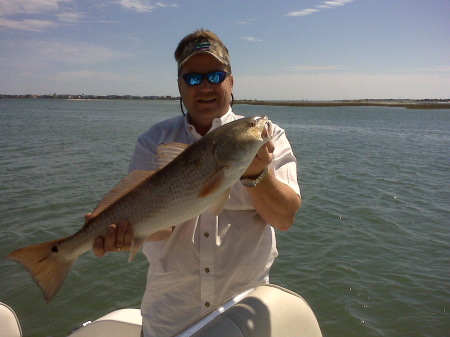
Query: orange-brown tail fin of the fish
[(46, 269)]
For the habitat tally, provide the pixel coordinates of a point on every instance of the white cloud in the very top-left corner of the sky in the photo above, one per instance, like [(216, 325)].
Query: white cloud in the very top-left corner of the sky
[(11, 7)]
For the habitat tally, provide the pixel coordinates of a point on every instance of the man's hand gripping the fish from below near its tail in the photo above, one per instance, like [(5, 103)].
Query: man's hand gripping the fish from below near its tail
[(118, 237)]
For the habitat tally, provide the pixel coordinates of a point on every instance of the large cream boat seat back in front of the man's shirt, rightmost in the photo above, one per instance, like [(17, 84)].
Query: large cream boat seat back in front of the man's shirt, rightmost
[(268, 311)]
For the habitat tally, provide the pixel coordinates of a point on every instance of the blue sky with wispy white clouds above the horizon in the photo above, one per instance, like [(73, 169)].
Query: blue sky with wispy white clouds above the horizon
[(279, 49)]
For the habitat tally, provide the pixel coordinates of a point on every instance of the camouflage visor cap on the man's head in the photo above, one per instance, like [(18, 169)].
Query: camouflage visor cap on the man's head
[(219, 51)]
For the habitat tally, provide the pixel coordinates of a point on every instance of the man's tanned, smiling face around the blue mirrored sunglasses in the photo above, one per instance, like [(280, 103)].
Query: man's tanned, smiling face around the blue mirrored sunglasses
[(205, 101)]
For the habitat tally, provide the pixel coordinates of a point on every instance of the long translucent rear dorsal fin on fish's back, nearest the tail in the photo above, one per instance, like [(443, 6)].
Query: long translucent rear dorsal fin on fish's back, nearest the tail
[(123, 187)]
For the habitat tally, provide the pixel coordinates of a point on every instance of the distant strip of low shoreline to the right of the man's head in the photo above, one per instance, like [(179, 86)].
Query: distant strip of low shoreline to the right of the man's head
[(422, 104)]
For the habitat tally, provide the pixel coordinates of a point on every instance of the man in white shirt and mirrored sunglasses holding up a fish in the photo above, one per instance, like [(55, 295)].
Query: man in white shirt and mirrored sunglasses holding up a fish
[(201, 263)]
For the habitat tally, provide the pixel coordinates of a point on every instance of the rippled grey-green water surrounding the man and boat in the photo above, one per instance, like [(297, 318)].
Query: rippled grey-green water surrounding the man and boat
[(370, 249)]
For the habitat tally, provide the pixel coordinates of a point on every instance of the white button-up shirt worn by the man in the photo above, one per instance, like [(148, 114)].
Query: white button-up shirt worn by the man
[(208, 259)]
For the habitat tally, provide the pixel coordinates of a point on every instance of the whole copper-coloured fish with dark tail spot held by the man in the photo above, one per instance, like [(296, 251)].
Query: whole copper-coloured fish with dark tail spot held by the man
[(192, 179)]
